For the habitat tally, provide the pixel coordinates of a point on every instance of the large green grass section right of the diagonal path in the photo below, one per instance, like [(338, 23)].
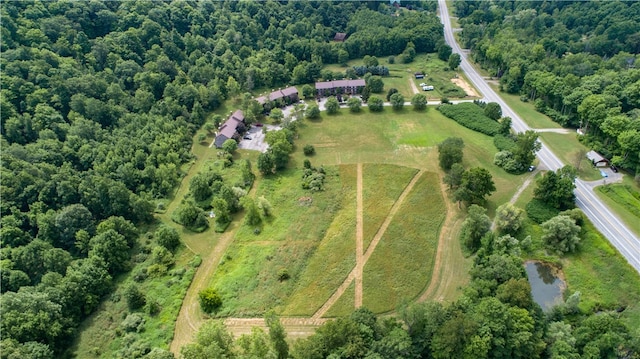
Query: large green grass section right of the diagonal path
[(402, 263)]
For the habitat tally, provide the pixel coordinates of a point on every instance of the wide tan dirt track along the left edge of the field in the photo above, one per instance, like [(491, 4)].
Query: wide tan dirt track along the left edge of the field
[(190, 317)]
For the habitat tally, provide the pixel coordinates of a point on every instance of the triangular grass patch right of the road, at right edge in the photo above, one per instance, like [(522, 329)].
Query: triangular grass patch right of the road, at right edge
[(624, 199)]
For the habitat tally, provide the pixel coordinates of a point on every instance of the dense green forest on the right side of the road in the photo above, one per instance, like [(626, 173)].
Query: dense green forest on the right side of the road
[(576, 60)]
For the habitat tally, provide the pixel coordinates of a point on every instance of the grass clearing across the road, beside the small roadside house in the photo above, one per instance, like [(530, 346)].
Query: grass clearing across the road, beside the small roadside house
[(567, 148)]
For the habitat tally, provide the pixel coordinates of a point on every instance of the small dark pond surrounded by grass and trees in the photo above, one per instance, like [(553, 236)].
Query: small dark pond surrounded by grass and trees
[(546, 287)]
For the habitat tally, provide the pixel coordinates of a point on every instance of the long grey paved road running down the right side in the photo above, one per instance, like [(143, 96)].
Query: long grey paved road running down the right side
[(607, 223)]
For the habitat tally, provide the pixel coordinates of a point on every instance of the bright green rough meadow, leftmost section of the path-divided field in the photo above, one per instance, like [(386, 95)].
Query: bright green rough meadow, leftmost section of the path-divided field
[(250, 276)]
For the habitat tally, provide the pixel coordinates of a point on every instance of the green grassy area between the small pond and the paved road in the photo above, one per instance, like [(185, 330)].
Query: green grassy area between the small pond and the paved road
[(604, 278)]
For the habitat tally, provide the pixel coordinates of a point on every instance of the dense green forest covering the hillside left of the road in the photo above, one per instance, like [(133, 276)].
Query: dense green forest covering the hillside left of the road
[(100, 101)]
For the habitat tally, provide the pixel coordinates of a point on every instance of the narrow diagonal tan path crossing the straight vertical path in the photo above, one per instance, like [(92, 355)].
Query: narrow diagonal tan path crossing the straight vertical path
[(372, 246)]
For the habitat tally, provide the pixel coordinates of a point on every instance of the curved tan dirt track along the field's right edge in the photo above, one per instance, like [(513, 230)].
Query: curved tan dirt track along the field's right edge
[(439, 279)]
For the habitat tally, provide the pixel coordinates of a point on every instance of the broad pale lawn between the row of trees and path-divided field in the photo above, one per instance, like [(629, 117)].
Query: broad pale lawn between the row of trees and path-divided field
[(406, 138)]
